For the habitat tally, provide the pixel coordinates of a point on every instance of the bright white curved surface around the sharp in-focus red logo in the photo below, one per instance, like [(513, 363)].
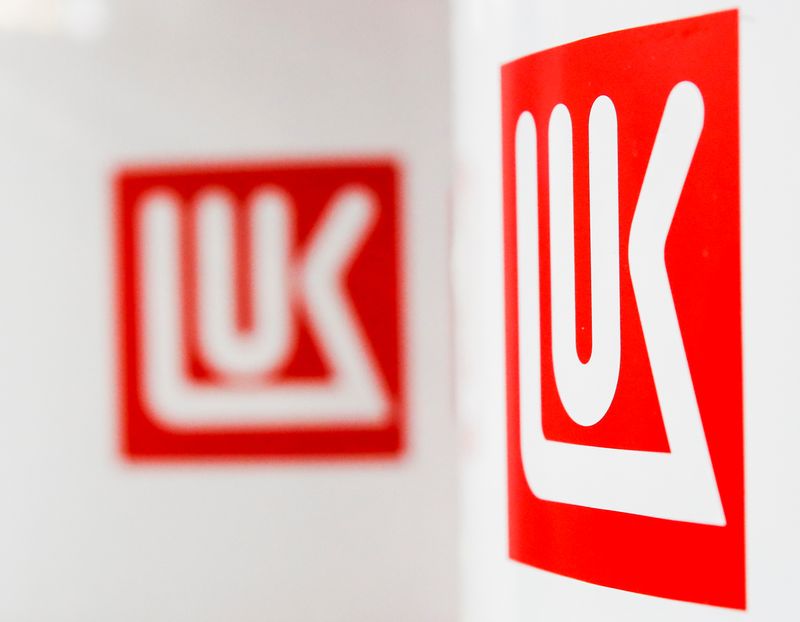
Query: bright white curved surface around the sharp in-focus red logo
[(488, 33)]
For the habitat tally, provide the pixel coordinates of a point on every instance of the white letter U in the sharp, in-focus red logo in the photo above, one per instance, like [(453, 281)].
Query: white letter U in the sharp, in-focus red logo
[(586, 389)]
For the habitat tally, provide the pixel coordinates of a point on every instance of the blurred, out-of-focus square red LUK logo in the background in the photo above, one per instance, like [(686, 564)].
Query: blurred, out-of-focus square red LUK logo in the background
[(259, 310)]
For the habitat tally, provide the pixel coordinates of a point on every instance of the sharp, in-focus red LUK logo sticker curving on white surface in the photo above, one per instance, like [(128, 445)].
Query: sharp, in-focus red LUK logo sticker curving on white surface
[(623, 310)]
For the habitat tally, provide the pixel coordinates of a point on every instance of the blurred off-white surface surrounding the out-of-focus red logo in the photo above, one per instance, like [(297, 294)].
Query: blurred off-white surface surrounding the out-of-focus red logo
[(87, 86)]
